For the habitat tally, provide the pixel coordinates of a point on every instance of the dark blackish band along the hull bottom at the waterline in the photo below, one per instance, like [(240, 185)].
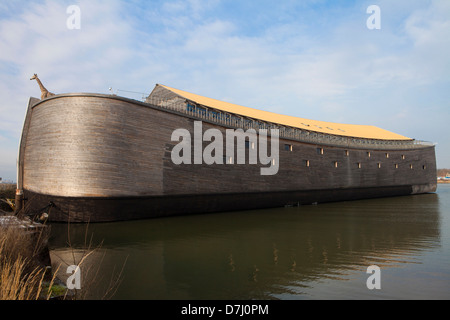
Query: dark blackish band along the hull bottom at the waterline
[(62, 209)]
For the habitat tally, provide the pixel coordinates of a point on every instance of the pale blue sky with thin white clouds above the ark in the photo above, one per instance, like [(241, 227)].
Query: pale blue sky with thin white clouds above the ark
[(313, 59)]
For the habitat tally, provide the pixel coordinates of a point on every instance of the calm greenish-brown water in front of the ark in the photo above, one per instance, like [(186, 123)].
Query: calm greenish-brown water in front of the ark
[(308, 252)]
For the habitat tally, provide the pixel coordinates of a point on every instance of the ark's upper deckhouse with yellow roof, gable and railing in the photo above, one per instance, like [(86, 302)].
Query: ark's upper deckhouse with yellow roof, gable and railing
[(294, 128)]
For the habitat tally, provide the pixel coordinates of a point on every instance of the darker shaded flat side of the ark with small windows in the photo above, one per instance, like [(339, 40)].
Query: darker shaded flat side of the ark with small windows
[(302, 166)]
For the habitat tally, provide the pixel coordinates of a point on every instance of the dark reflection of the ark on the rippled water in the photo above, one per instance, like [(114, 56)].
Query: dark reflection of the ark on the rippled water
[(269, 252)]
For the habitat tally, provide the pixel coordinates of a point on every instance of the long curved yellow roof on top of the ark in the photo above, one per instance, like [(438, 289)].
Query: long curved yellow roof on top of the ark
[(348, 130)]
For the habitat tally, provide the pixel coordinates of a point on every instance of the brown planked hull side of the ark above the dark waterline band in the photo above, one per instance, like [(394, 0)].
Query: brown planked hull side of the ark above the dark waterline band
[(99, 147)]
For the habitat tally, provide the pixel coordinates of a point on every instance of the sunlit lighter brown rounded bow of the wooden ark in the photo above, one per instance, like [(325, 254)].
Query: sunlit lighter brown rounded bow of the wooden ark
[(90, 146)]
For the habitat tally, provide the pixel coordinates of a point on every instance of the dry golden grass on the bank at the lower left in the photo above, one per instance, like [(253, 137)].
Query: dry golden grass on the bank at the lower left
[(24, 275)]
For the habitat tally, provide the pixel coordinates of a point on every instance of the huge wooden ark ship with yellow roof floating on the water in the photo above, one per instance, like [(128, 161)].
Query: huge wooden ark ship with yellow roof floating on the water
[(98, 157)]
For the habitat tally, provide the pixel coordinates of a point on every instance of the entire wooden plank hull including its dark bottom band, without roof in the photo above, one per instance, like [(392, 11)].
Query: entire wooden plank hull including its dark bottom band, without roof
[(85, 147)]
